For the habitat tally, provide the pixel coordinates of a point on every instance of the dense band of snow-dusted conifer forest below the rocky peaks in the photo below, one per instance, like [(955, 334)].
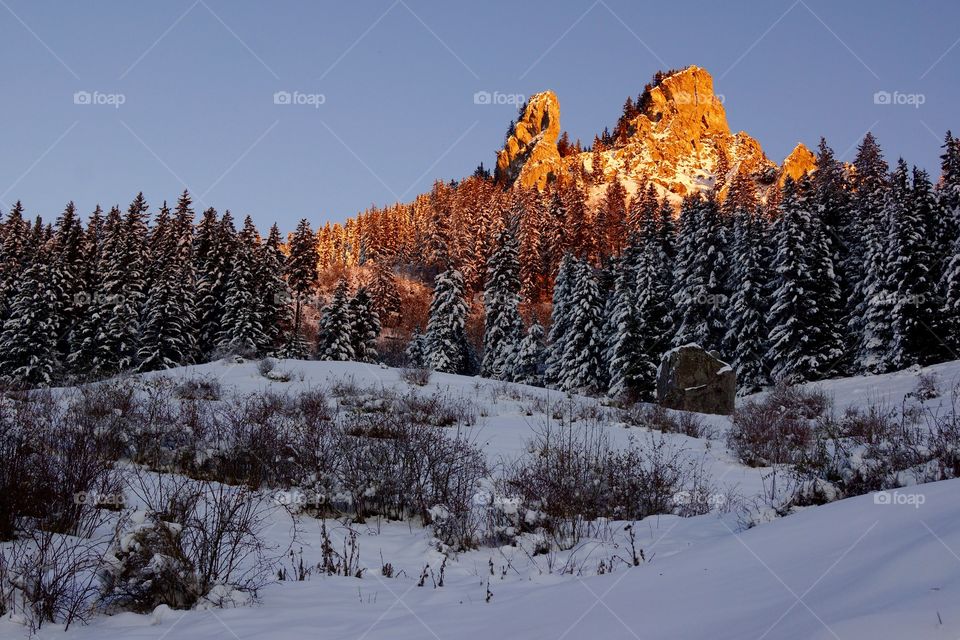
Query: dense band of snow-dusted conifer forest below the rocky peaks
[(850, 269)]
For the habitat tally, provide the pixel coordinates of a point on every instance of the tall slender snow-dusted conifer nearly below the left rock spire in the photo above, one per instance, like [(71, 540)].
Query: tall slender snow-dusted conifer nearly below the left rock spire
[(501, 297)]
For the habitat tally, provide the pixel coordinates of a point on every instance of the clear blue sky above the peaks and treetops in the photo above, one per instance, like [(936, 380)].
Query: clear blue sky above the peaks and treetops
[(398, 78)]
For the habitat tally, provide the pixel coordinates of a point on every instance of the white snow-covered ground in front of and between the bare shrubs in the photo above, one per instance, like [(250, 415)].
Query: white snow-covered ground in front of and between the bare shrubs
[(857, 568)]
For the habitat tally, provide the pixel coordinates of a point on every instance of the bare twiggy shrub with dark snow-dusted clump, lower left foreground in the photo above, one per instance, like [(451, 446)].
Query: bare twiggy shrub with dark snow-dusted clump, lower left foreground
[(196, 539)]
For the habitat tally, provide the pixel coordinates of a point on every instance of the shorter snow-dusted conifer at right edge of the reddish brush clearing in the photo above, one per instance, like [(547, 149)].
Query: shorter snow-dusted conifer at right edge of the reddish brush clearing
[(445, 342)]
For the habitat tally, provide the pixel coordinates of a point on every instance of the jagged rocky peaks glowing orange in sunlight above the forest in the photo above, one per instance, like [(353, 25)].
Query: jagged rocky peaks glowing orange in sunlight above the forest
[(678, 140)]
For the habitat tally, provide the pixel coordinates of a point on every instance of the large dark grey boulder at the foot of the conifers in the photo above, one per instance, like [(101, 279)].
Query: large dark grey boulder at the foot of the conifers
[(691, 379)]
